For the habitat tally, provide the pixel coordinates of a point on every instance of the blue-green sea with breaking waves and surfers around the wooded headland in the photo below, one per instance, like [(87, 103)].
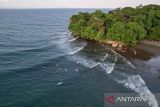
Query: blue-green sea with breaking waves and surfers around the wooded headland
[(42, 65)]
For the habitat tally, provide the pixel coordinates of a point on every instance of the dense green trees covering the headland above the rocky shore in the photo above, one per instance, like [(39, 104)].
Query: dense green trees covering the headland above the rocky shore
[(127, 25)]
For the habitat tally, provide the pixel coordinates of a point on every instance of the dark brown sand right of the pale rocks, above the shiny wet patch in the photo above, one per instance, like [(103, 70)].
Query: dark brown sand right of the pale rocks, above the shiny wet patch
[(144, 50)]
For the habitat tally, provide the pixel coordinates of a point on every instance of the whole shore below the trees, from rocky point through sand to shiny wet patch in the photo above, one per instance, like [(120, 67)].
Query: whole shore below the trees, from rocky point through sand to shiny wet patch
[(145, 56)]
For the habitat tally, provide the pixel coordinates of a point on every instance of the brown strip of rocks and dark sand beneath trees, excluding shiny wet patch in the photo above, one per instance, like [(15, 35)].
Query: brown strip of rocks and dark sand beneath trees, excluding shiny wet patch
[(144, 50)]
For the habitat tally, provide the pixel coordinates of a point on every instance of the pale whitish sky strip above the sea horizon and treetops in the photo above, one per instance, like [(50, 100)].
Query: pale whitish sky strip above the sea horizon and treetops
[(74, 3)]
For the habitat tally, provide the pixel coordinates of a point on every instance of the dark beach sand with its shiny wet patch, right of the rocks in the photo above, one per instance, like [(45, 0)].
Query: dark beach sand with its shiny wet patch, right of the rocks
[(146, 59)]
